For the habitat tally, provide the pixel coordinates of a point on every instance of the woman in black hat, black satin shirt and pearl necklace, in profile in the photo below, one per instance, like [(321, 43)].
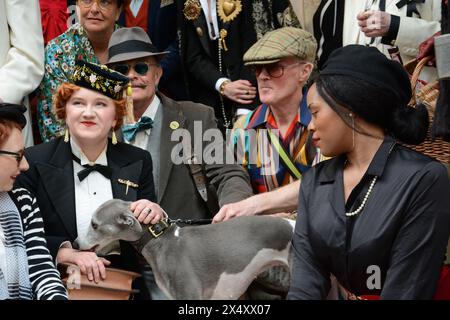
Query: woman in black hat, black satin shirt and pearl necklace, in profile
[(376, 215)]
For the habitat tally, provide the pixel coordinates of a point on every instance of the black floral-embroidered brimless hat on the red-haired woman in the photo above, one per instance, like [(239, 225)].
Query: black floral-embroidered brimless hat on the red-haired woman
[(99, 78)]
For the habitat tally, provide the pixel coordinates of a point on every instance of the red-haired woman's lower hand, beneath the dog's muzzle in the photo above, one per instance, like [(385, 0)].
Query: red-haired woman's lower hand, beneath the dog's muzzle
[(88, 262)]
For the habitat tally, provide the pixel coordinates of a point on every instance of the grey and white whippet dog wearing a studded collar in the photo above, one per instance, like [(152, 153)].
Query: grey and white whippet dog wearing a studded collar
[(215, 261)]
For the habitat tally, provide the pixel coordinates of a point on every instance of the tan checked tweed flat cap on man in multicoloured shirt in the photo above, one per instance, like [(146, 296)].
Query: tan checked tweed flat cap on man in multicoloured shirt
[(282, 43)]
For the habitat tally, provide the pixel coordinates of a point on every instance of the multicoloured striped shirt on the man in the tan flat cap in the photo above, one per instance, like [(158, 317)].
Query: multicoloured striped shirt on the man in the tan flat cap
[(262, 161)]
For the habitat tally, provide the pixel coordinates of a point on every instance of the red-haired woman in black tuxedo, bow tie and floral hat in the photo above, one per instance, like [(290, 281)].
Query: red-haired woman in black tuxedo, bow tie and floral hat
[(73, 175)]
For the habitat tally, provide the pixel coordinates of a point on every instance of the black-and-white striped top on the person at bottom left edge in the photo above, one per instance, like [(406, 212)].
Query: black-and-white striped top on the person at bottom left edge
[(44, 278)]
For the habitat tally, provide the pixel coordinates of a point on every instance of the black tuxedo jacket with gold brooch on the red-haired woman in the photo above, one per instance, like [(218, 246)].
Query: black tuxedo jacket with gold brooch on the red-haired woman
[(51, 180)]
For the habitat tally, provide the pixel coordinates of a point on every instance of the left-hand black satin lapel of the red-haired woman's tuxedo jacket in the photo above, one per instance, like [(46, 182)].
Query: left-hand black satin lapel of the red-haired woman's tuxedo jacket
[(57, 178)]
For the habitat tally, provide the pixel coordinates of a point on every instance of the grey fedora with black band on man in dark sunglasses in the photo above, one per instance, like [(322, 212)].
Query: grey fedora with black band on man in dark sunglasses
[(131, 43)]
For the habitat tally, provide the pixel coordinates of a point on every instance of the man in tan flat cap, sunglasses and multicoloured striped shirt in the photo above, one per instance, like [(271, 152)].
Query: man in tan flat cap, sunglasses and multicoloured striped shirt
[(283, 60)]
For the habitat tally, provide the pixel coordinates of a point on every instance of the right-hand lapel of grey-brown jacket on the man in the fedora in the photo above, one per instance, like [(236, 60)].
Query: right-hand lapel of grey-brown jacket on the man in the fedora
[(171, 113)]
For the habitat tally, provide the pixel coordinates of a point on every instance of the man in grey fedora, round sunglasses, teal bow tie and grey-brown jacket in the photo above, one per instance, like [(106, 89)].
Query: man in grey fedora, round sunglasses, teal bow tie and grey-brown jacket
[(184, 191)]
